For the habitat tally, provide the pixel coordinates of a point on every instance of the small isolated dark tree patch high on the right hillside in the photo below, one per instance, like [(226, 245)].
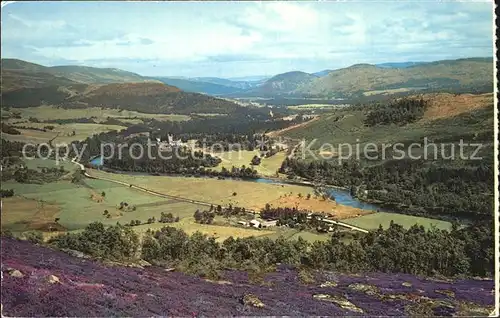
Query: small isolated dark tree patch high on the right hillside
[(401, 111)]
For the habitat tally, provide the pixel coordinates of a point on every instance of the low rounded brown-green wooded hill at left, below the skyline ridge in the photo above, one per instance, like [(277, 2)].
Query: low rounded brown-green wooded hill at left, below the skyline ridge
[(143, 97)]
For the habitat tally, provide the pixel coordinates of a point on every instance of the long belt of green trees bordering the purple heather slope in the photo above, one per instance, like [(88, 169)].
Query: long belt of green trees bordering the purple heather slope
[(462, 251)]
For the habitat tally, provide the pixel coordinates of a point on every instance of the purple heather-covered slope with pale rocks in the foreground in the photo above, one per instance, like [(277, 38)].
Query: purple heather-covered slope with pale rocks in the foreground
[(38, 281)]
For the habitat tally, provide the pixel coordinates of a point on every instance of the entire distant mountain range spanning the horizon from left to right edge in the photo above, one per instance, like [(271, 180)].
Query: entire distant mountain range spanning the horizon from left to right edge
[(462, 75)]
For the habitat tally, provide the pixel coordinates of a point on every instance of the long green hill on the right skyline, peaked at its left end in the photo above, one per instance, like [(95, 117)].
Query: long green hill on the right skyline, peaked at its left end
[(466, 74)]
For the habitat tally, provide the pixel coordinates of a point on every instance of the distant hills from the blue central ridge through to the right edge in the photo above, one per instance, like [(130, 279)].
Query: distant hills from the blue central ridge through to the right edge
[(463, 75)]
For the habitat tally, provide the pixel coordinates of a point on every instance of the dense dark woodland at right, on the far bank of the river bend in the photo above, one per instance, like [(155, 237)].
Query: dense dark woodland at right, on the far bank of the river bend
[(411, 186)]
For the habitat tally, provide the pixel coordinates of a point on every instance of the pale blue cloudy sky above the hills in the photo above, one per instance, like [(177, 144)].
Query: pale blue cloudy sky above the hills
[(236, 39)]
